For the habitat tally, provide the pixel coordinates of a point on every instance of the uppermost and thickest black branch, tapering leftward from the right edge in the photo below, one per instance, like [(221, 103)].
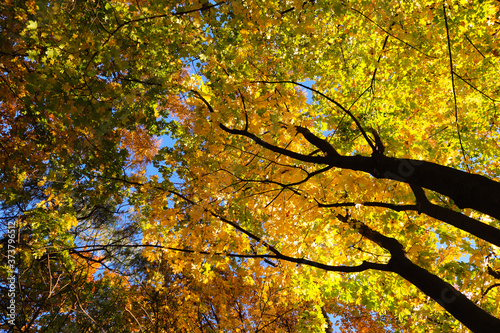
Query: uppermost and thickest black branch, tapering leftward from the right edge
[(467, 190)]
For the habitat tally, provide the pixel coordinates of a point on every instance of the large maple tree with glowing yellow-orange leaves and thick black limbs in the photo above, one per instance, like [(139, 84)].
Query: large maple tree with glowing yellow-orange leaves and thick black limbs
[(347, 151)]
